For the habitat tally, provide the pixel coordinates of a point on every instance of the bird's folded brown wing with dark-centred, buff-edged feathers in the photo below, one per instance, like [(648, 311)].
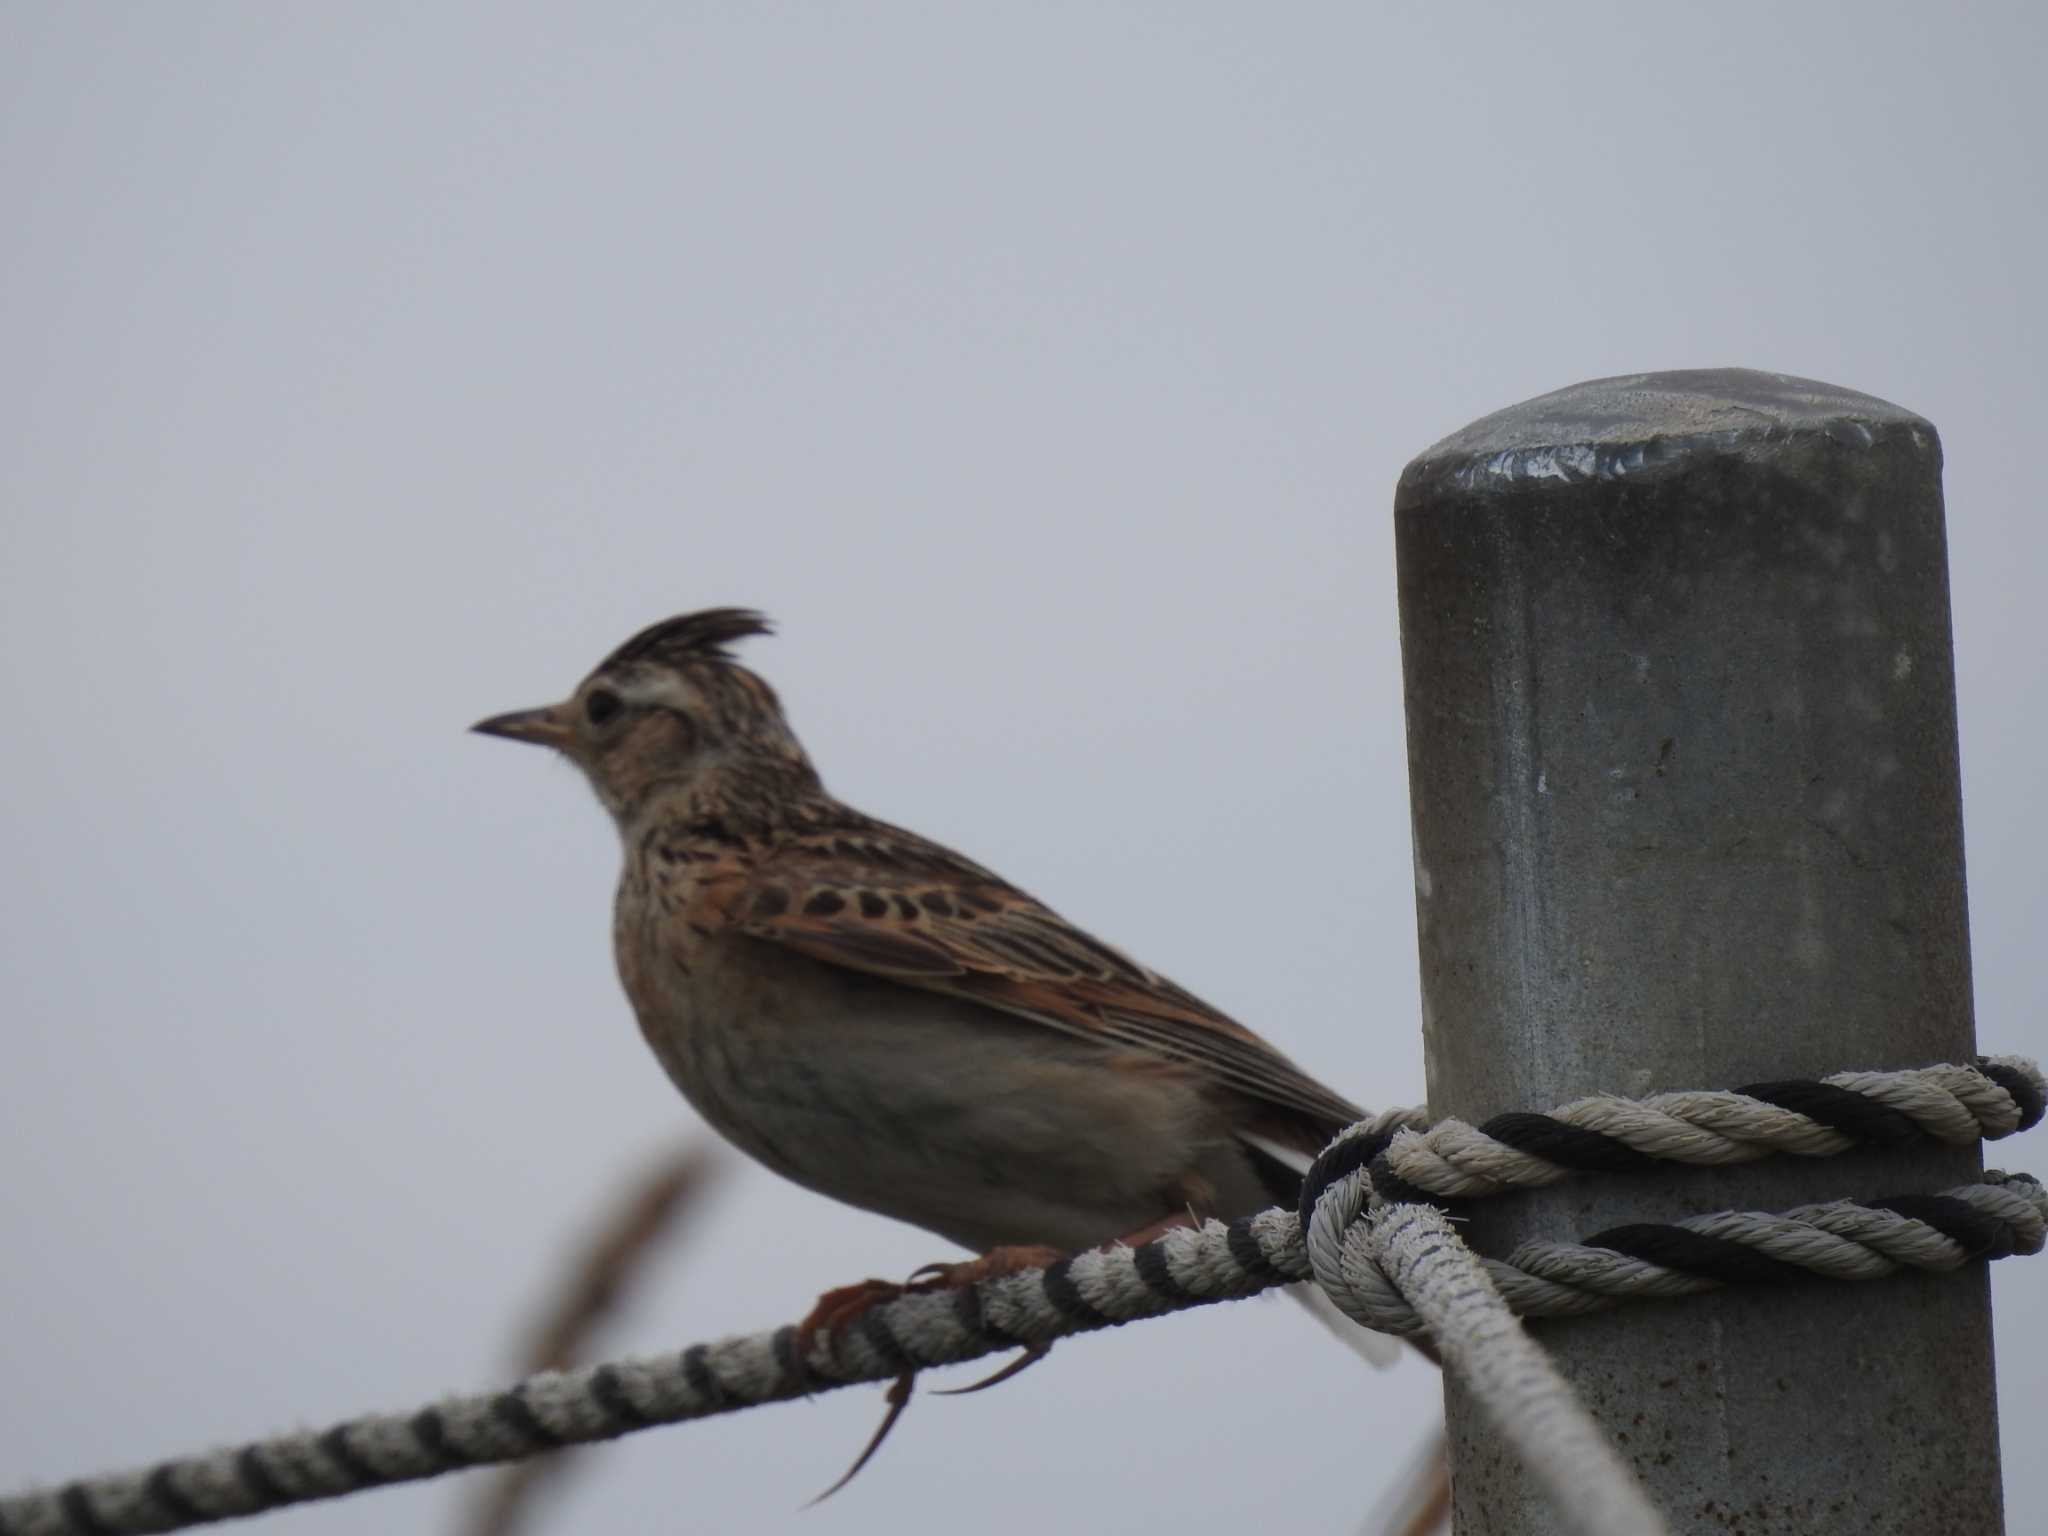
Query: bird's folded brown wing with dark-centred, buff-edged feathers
[(888, 902)]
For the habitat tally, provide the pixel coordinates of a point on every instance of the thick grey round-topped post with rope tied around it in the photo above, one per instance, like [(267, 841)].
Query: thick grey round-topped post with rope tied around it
[(1682, 757)]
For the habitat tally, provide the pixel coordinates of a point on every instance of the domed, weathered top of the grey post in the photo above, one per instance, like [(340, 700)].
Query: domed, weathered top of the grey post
[(1641, 425)]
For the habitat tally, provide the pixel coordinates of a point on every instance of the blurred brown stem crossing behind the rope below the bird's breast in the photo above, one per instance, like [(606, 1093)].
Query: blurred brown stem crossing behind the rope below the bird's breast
[(591, 1291)]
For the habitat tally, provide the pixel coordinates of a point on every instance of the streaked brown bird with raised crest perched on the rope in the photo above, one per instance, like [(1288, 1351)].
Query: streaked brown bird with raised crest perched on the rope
[(886, 1021)]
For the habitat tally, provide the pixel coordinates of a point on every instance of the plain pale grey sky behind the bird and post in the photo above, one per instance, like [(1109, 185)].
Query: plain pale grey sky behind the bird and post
[(1046, 376)]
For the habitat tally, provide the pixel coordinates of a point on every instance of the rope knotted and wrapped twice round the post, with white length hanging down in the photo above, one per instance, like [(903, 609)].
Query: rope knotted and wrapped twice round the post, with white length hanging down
[(1377, 1254)]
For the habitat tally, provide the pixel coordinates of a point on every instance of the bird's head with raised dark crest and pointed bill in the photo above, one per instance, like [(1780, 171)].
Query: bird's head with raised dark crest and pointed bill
[(673, 714)]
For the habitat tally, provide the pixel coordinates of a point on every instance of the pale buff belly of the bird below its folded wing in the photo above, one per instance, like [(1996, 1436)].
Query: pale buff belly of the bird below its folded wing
[(937, 1111)]
